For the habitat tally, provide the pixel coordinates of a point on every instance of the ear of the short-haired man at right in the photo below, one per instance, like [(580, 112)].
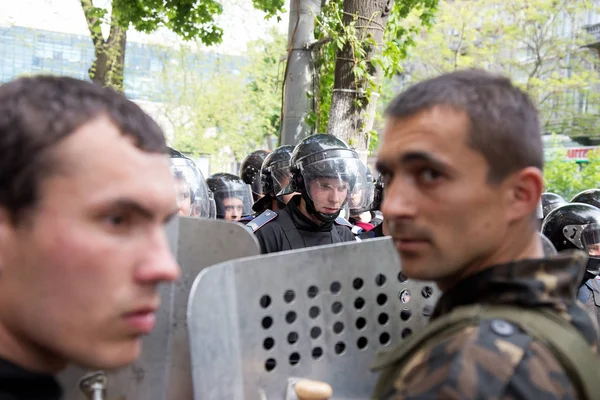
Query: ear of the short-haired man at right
[(523, 191)]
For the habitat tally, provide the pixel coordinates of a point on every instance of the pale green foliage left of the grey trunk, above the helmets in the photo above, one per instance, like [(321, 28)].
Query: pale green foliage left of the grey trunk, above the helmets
[(227, 115)]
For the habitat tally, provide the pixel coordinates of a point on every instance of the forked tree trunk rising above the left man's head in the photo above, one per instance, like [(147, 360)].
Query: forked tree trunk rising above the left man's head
[(109, 63)]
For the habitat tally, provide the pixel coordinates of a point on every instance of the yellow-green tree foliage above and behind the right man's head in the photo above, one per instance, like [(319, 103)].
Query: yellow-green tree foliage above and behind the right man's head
[(540, 44)]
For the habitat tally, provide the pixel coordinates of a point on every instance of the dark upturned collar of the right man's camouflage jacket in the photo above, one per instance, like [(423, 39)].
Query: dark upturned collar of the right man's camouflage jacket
[(549, 282)]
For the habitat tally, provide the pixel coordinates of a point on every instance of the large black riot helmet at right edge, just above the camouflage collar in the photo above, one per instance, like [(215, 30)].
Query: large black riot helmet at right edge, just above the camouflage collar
[(576, 226)]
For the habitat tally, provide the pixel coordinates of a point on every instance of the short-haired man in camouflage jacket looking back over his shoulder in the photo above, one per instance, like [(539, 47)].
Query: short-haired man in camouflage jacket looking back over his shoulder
[(462, 159)]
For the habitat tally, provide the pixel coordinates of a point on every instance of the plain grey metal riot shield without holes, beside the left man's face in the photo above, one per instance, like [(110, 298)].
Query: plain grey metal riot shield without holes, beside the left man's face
[(163, 370)]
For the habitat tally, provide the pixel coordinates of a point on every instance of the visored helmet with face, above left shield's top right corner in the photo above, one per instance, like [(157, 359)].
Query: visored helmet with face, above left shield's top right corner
[(233, 197)]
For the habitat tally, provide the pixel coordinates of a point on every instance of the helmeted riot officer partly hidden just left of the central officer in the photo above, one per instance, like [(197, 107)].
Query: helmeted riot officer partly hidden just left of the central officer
[(274, 176)]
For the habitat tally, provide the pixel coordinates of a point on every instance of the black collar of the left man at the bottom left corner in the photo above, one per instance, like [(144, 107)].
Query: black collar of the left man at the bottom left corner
[(20, 383)]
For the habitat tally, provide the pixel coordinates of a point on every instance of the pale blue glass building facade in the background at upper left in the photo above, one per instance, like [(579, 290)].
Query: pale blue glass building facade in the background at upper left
[(25, 51)]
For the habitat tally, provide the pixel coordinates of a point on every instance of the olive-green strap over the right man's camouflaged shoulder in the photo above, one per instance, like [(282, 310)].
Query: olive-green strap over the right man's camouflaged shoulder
[(579, 361)]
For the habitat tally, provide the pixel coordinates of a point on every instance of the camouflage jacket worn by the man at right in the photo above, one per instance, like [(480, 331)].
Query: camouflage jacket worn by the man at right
[(498, 361)]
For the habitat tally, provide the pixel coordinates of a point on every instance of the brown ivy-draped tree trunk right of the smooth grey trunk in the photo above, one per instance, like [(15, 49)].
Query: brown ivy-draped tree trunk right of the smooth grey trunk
[(349, 120)]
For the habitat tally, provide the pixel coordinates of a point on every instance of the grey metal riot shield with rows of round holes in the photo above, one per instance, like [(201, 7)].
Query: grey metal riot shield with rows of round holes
[(320, 313)]
